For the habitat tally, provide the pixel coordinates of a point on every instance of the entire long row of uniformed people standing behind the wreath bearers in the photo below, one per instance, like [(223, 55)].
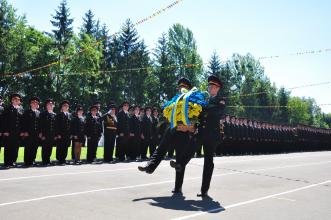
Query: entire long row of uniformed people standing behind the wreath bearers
[(132, 130)]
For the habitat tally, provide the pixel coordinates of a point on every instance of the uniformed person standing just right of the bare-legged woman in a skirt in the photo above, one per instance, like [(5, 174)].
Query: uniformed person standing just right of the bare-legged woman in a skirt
[(93, 130)]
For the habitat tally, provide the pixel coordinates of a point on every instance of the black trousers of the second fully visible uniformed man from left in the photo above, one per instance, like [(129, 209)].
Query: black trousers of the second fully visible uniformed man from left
[(30, 150)]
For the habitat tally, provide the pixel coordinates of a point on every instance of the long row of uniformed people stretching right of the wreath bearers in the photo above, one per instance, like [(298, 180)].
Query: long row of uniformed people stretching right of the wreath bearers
[(245, 136)]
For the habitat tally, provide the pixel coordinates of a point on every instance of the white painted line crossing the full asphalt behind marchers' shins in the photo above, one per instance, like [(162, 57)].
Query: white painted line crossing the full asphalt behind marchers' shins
[(147, 184)]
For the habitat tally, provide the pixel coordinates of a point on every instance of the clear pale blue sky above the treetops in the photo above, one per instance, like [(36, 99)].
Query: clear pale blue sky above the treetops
[(261, 27)]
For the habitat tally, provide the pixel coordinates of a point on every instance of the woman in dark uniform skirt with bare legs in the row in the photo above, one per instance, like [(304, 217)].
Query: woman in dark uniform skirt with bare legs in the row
[(78, 133)]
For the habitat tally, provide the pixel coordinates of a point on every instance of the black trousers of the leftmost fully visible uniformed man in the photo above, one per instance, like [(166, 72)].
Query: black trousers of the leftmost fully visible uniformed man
[(12, 143)]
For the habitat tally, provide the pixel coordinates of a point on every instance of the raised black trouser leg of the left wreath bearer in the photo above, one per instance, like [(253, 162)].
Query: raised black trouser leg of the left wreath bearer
[(160, 152)]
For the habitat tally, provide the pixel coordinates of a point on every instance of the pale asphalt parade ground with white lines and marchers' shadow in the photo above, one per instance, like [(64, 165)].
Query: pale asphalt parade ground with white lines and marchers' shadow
[(284, 186)]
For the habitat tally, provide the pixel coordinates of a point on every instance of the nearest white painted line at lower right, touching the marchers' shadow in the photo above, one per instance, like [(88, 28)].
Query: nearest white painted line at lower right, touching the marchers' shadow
[(251, 201)]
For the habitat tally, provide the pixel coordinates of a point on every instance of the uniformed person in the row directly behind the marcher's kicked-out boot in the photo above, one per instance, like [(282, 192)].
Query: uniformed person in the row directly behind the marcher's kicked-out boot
[(147, 135)]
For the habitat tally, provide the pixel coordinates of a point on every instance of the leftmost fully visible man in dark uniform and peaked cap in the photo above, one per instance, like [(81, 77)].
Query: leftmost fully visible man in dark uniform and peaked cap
[(12, 129)]
